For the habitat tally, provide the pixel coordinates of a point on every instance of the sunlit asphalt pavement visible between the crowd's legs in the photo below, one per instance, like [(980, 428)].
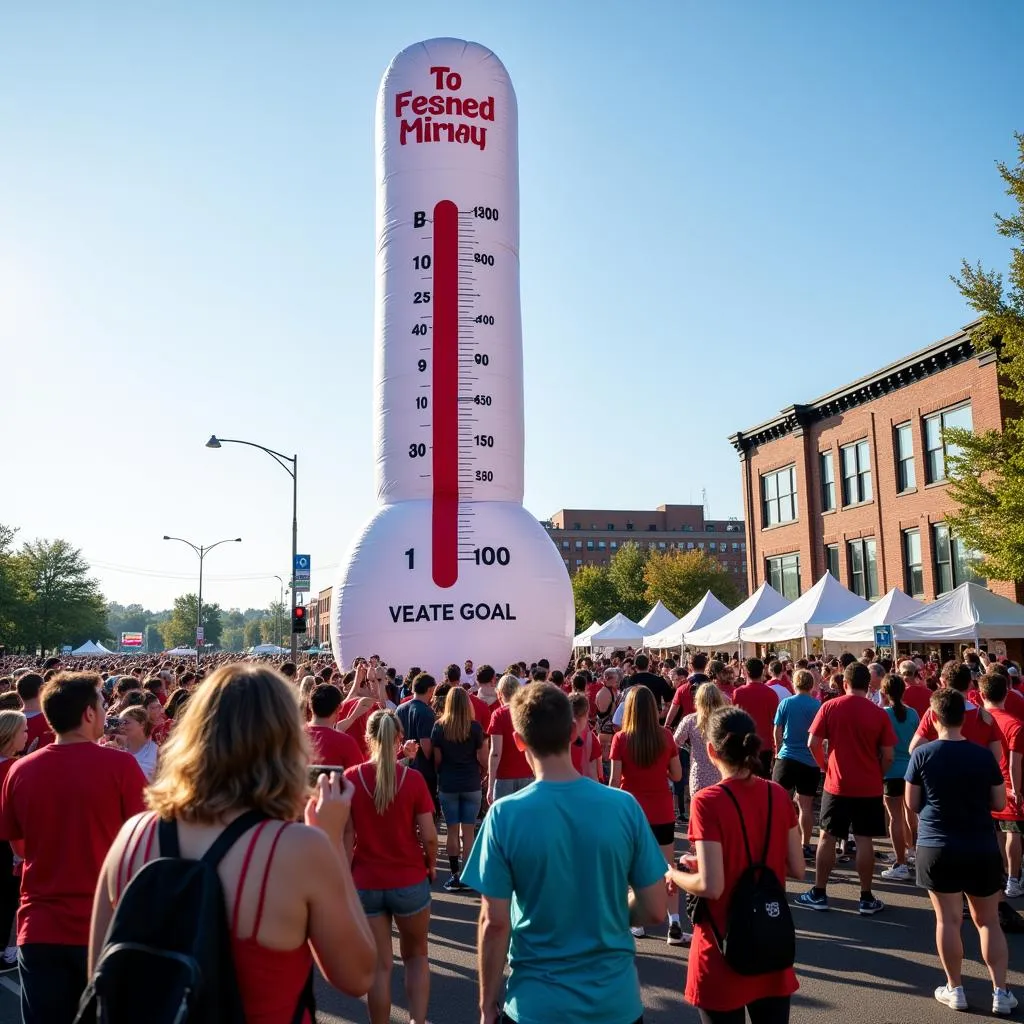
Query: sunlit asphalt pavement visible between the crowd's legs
[(880, 970)]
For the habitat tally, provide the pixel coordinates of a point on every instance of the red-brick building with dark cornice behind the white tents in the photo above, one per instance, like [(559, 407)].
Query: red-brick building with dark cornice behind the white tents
[(856, 482)]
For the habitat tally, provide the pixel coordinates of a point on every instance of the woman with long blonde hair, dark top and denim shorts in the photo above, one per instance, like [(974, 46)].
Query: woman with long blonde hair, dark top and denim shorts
[(460, 756)]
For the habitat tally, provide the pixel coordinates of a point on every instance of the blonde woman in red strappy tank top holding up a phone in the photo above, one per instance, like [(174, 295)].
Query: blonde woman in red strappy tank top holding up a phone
[(239, 757)]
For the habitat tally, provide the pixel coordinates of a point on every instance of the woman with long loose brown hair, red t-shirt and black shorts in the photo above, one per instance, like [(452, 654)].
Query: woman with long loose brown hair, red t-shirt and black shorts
[(645, 759)]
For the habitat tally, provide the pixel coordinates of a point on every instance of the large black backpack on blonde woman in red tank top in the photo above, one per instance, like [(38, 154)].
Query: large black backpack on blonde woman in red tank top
[(167, 956)]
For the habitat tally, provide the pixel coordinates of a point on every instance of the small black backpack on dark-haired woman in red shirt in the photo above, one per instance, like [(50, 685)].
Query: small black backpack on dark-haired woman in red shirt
[(759, 936)]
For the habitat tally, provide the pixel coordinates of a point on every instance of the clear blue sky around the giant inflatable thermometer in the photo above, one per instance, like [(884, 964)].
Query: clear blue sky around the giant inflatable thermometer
[(726, 208)]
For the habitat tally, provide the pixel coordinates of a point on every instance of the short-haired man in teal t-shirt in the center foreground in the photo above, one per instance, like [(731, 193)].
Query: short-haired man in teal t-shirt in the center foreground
[(553, 865)]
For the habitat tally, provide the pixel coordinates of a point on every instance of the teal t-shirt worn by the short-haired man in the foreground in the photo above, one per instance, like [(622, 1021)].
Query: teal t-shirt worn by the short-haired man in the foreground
[(565, 854)]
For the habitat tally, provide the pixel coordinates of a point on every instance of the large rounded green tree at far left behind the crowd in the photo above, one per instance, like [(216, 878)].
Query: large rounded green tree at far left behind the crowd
[(64, 605)]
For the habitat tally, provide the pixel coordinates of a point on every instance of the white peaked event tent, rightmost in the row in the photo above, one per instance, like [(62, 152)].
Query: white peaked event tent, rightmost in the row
[(969, 613)]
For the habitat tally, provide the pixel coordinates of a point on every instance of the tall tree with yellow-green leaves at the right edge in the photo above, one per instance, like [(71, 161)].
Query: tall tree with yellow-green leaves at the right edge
[(987, 470)]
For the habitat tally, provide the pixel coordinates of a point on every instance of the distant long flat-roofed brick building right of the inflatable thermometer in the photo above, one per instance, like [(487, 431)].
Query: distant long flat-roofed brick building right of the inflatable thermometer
[(591, 537)]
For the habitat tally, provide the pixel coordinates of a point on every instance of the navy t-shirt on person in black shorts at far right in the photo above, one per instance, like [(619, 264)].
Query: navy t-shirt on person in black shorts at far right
[(956, 779)]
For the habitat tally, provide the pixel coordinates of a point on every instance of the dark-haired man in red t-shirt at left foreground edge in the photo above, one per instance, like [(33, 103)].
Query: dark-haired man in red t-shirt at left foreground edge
[(101, 788)]
